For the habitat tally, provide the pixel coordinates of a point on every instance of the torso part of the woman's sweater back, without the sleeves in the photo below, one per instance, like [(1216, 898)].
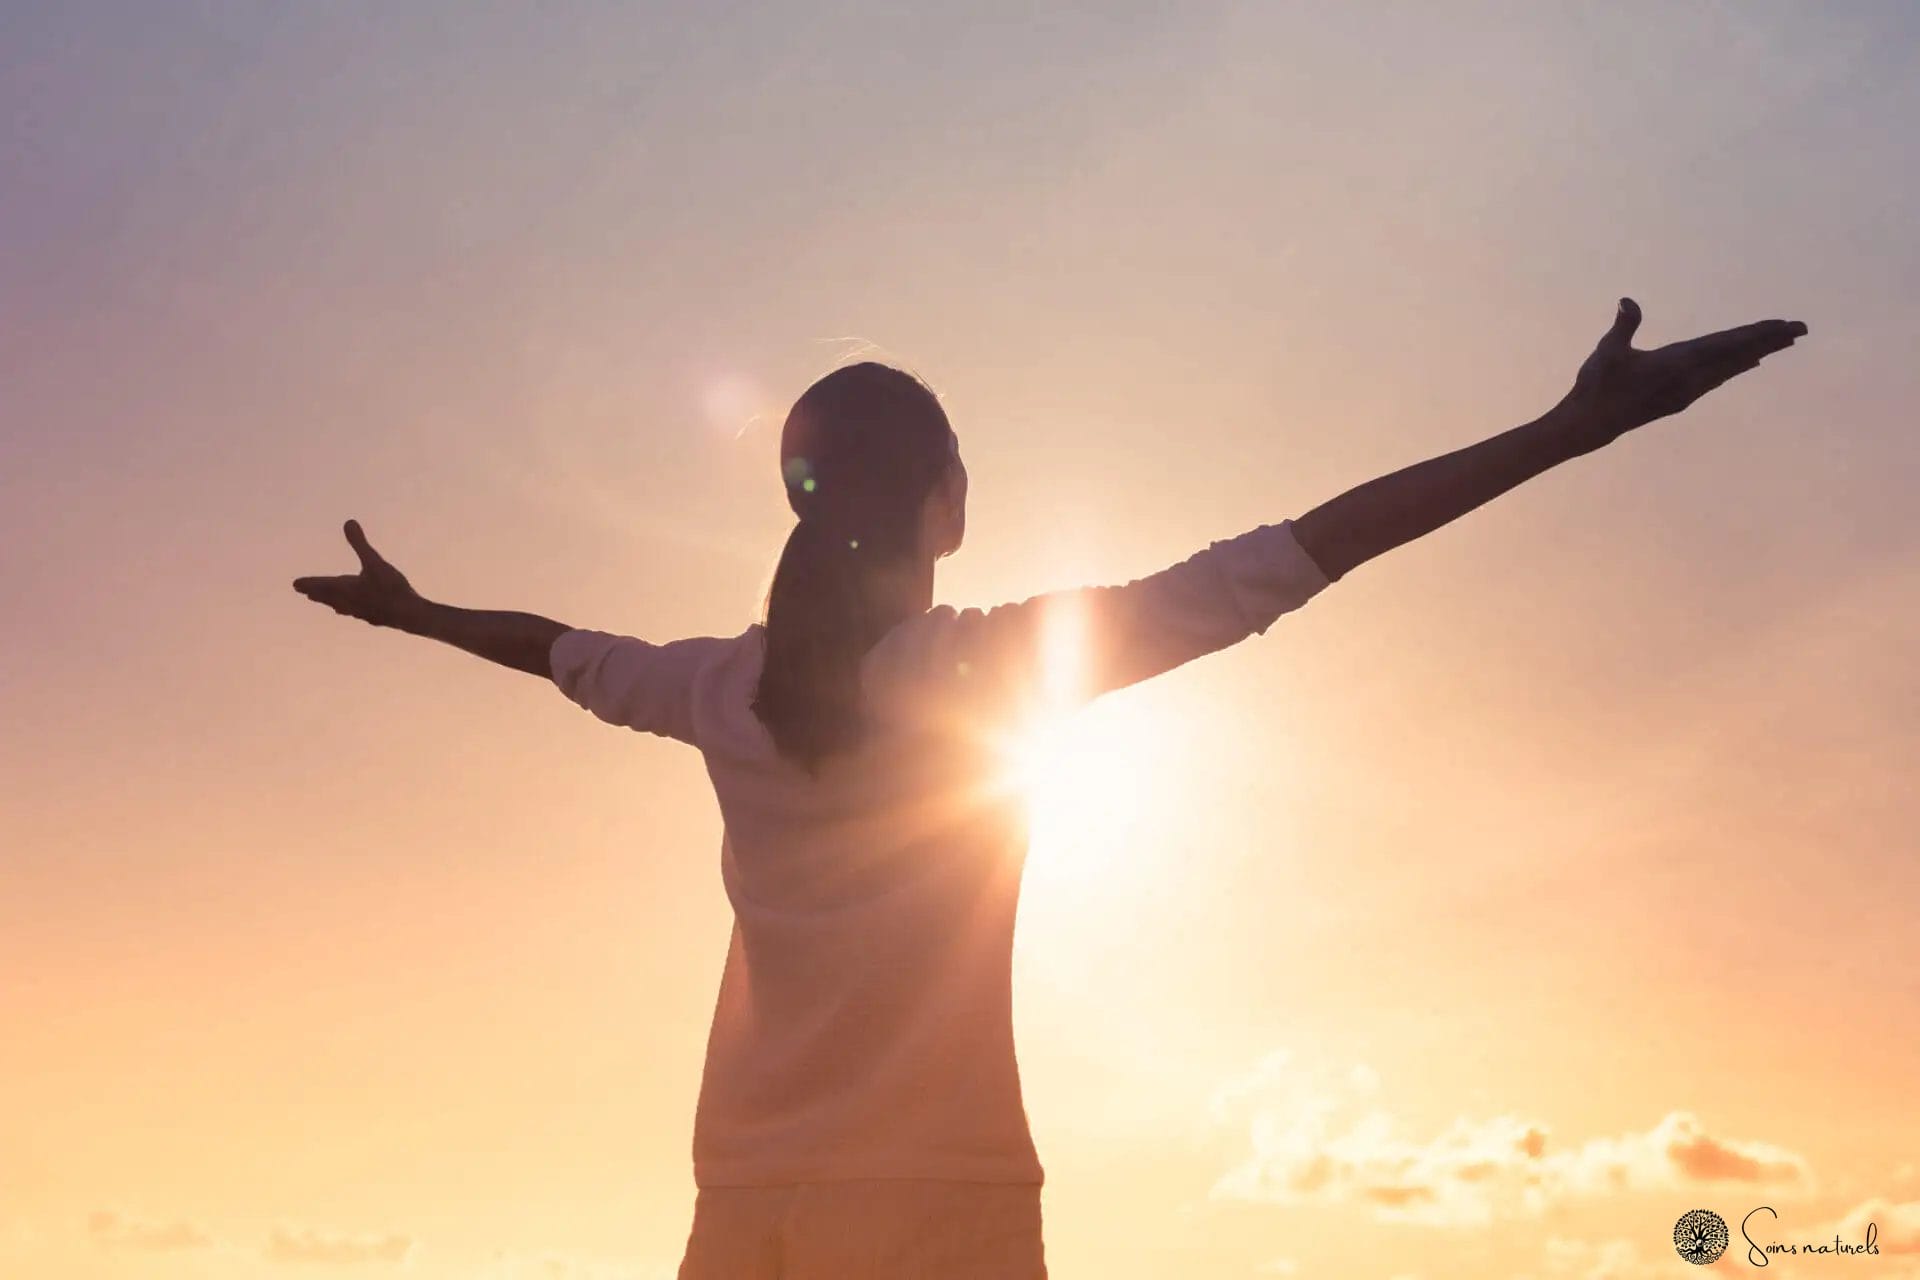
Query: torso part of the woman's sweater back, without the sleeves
[(865, 1014)]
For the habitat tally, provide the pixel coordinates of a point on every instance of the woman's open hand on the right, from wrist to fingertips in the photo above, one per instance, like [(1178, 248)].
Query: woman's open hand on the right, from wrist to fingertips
[(1625, 389)]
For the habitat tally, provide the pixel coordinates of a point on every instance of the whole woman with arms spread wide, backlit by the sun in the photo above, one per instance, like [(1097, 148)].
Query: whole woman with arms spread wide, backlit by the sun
[(861, 1108)]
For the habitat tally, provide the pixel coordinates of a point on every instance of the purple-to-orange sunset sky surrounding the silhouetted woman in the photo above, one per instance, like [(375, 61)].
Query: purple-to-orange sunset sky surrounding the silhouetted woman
[(1527, 889)]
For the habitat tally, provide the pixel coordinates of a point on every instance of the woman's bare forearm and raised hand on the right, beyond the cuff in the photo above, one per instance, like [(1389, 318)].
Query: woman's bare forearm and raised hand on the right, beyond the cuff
[(1616, 391)]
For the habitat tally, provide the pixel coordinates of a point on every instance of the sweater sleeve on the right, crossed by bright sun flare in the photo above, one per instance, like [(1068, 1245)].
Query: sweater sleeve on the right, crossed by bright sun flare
[(1068, 648)]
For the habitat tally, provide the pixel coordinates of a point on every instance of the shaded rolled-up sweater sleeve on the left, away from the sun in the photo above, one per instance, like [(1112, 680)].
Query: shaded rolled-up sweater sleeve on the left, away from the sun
[(631, 682)]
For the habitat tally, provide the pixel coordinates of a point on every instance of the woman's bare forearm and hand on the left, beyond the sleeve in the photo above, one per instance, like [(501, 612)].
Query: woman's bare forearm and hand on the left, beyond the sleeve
[(381, 596)]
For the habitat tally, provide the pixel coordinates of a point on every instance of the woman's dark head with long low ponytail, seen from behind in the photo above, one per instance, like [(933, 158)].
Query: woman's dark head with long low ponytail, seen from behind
[(861, 452)]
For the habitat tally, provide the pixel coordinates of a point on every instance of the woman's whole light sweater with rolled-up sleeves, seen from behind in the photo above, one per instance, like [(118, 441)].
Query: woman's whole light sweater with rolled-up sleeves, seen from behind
[(865, 1018)]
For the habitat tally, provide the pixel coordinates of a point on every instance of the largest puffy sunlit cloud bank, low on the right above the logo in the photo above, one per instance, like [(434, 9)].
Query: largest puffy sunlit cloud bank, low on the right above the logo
[(1320, 1139)]
